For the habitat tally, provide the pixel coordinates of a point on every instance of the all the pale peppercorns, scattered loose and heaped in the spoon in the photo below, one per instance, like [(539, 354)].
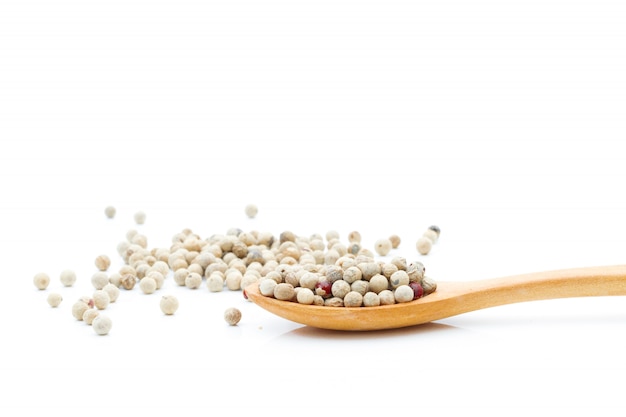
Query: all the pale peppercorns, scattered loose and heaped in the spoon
[(315, 269)]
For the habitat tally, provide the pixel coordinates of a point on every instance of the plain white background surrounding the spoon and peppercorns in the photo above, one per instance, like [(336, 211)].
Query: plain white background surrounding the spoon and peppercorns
[(502, 122)]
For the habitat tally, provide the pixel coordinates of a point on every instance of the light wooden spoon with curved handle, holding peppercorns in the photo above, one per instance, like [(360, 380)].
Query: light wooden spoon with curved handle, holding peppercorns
[(453, 298)]
